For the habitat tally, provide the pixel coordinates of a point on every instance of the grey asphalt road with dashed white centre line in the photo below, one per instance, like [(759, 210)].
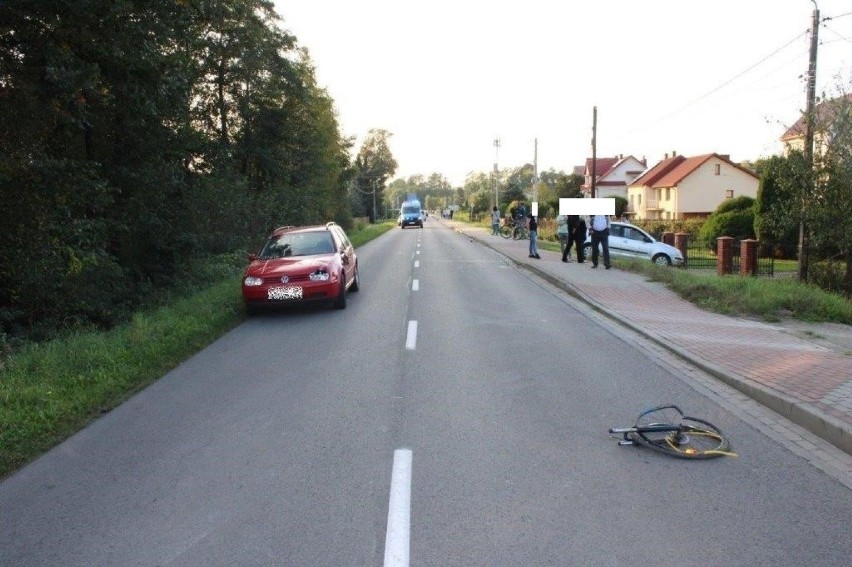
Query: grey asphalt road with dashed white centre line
[(493, 392)]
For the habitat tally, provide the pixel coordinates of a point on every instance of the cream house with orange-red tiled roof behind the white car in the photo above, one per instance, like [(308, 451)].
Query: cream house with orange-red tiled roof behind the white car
[(681, 187)]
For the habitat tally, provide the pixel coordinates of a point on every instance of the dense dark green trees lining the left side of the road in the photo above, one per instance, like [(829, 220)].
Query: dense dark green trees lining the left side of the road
[(121, 162)]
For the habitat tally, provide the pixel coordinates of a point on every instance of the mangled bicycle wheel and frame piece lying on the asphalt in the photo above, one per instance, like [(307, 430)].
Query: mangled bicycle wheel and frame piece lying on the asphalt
[(667, 430)]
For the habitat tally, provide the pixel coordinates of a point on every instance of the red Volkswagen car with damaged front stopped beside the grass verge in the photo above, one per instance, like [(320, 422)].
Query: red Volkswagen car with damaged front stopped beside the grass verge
[(300, 265)]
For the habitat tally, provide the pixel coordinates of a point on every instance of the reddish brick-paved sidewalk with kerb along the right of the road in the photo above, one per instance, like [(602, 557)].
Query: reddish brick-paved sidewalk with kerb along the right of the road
[(803, 378)]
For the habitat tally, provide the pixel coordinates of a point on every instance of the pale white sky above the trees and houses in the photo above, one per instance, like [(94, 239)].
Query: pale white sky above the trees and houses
[(447, 77)]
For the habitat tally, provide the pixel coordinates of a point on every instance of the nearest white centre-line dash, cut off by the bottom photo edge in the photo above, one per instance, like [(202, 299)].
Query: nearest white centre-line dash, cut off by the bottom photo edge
[(397, 538)]
